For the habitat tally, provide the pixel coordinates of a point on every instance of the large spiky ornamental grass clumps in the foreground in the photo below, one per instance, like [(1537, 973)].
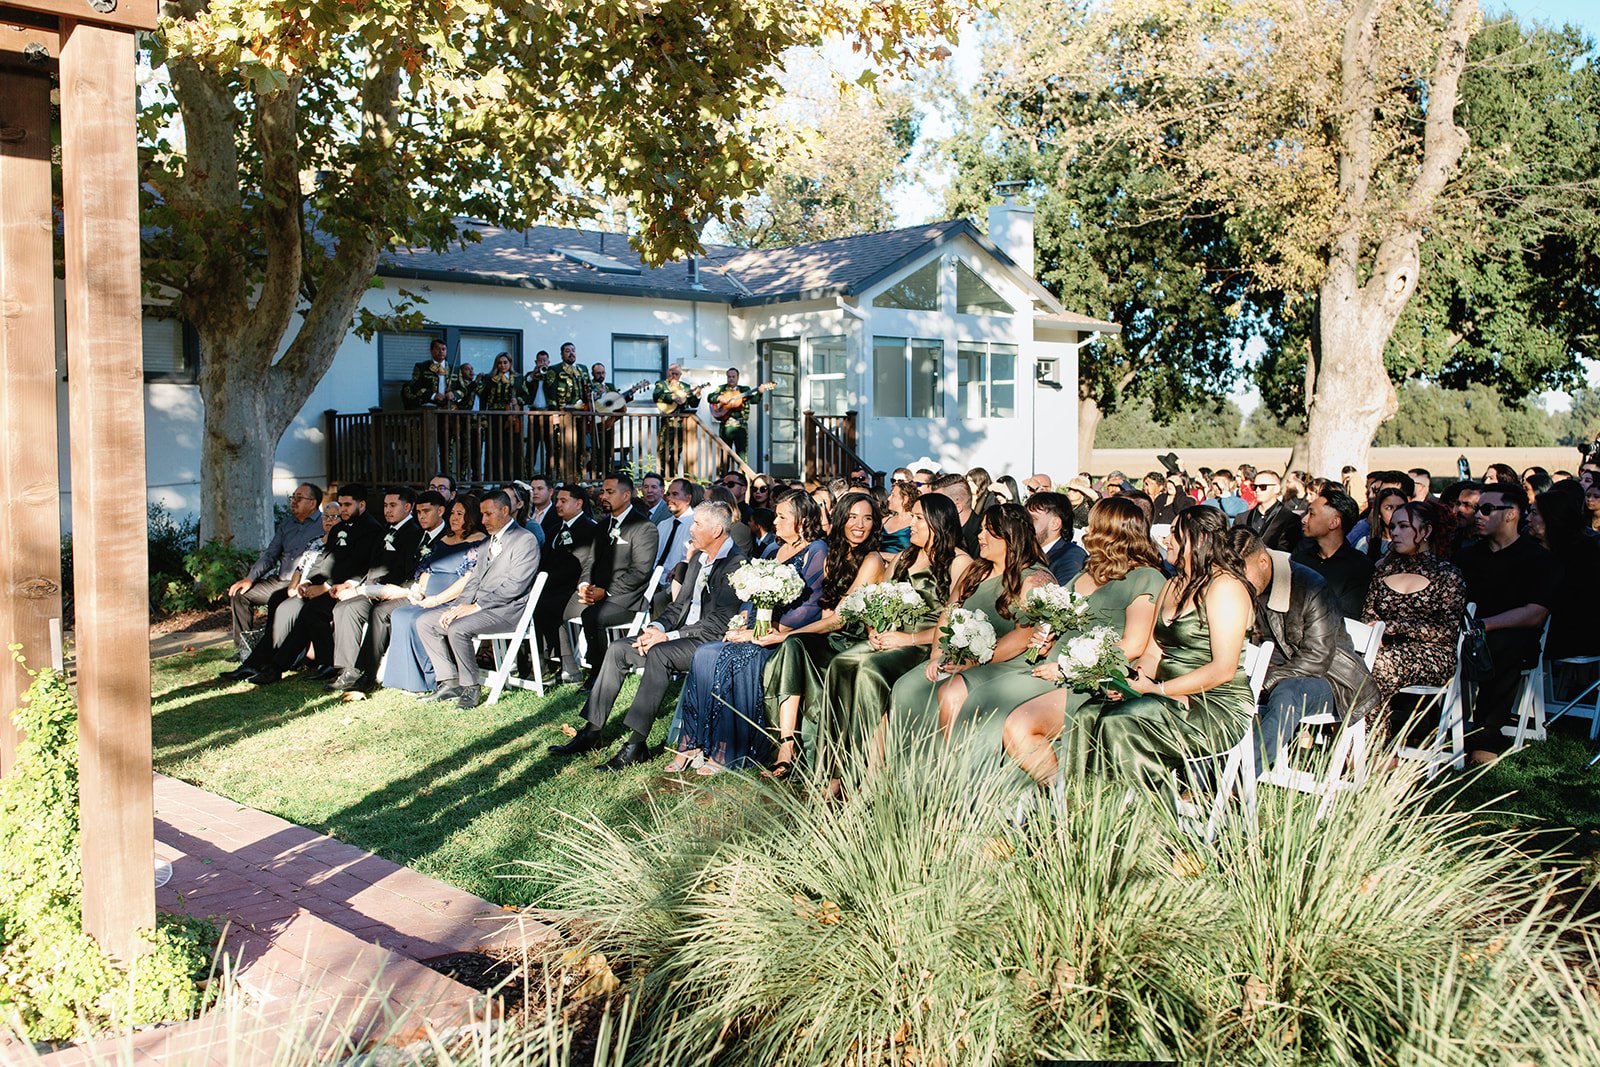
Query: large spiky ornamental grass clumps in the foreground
[(913, 922)]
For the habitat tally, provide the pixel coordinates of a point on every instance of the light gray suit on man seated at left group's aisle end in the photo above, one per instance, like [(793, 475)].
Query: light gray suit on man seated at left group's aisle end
[(500, 586)]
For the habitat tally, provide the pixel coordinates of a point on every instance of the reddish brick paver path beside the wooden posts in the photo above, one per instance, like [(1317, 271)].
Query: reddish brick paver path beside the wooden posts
[(321, 933)]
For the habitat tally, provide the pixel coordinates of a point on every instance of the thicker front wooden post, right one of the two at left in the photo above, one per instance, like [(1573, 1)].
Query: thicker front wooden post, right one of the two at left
[(100, 169)]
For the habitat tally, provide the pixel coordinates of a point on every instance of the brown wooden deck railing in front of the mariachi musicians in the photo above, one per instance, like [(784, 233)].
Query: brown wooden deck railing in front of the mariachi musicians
[(497, 447)]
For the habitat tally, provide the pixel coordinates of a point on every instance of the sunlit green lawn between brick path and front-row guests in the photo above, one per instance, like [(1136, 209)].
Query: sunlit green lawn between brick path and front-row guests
[(452, 794)]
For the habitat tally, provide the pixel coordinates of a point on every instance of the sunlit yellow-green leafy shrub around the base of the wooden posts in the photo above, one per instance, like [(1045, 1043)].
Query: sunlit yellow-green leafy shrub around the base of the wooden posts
[(55, 981)]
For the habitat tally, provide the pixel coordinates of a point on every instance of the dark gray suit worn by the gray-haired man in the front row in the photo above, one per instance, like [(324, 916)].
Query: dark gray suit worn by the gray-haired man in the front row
[(700, 613)]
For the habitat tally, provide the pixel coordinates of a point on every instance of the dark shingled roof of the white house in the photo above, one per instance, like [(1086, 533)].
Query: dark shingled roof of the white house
[(734, 276)]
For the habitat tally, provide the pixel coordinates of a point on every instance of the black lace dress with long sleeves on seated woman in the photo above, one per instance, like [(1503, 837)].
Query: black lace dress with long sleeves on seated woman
[(1422, 628)]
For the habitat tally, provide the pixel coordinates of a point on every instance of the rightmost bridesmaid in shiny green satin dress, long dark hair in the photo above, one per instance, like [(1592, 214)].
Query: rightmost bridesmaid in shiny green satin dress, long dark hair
[(1194, 698)]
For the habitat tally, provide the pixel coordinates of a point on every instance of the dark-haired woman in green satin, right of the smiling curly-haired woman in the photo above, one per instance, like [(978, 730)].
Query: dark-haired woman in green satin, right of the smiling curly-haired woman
[(855, 693)]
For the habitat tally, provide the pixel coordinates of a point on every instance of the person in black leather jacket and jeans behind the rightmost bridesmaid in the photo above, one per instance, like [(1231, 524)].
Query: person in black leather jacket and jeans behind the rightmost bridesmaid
[(1314, 666)]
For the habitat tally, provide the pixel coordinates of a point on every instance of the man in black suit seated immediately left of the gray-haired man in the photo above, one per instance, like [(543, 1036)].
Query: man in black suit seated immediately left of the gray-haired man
[(623, 559)]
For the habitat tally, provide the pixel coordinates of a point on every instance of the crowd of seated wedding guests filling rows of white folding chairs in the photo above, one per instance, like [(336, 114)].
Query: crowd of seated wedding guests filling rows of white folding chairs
[(1186, 572)]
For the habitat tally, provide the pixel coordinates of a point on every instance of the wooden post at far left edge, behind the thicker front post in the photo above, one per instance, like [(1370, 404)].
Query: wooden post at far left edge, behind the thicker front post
[(30, 478)]
